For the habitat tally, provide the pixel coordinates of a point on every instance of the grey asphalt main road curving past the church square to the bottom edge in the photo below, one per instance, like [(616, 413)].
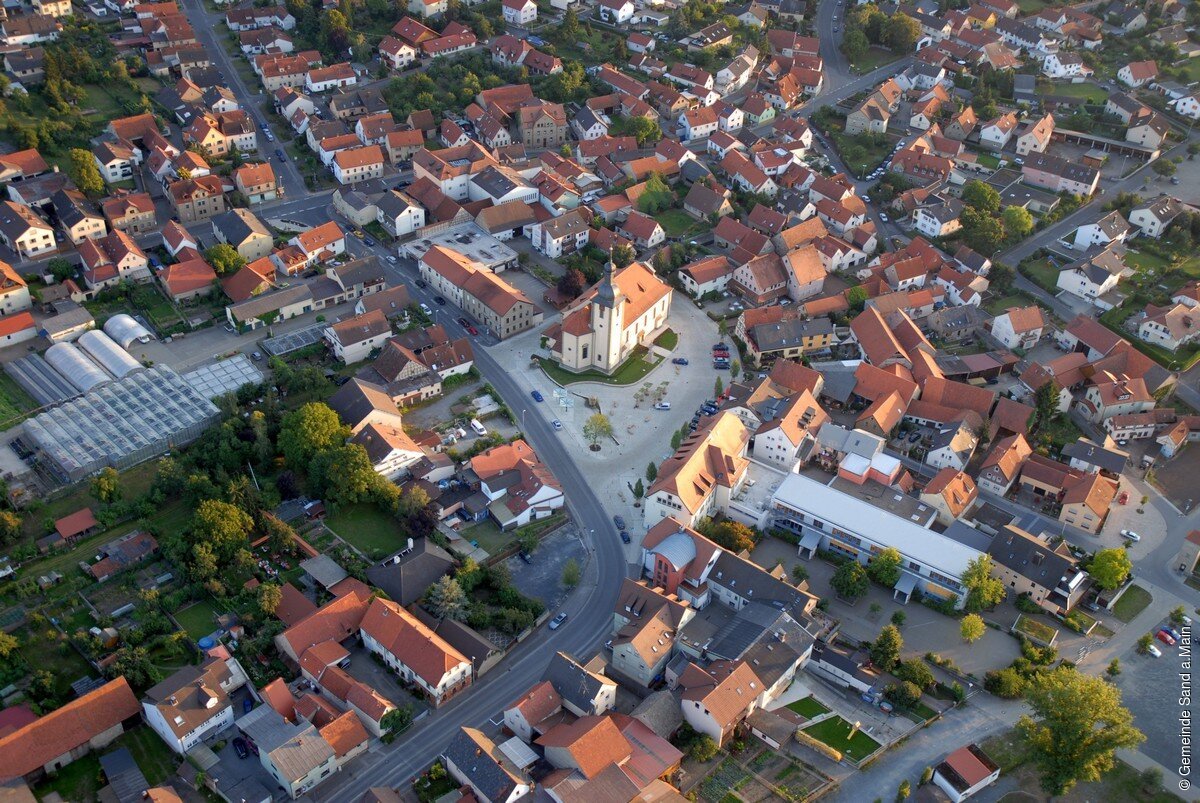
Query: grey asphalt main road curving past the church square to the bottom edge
[(590, 609)]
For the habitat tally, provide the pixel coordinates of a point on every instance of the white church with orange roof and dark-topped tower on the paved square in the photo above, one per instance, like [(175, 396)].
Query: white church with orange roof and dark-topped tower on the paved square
[(601, 329)]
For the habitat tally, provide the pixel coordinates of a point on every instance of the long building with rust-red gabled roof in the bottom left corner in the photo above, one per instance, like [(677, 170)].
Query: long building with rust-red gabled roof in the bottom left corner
[(55, 741)]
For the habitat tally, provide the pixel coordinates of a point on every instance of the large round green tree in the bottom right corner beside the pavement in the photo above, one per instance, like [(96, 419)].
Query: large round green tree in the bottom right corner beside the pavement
[(1078, 724)]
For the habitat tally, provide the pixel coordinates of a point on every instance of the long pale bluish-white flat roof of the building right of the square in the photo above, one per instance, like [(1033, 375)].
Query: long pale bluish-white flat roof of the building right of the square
[(856, 516)]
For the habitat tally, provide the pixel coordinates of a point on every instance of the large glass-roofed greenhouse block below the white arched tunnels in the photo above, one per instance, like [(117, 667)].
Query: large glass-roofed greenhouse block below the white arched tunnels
[(121, 424)]
